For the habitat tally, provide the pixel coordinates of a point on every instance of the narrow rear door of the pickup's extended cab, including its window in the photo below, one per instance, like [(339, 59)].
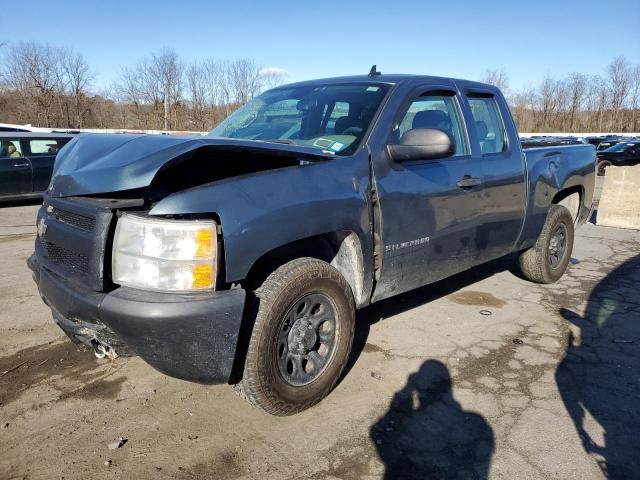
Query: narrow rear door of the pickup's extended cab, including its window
[(497, 151)]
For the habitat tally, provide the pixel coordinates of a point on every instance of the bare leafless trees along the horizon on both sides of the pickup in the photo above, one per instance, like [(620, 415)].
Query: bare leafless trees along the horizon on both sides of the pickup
[(52, 86)]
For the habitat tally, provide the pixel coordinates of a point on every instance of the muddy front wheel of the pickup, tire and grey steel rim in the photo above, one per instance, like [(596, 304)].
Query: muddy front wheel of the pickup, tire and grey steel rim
[(301, 337)]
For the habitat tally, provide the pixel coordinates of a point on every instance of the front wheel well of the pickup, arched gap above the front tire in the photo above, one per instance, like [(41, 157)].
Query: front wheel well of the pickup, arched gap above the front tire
[(340, 249)]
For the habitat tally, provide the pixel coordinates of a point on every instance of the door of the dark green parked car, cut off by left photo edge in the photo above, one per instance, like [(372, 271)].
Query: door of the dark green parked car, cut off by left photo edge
[(15, 170)]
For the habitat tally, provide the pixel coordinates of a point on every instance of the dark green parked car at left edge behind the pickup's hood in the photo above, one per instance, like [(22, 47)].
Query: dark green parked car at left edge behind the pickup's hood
[(26, 163)]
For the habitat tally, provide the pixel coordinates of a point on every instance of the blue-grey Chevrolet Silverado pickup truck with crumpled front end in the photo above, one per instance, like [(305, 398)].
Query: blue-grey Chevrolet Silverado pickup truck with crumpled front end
[(240, 257)]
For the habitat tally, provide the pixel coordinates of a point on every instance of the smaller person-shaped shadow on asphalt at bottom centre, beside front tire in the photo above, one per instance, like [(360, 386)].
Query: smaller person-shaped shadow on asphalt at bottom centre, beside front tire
[(427, 435)]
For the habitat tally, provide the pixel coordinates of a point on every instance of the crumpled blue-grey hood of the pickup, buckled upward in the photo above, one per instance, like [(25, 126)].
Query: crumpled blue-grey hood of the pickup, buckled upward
[(100, 163)]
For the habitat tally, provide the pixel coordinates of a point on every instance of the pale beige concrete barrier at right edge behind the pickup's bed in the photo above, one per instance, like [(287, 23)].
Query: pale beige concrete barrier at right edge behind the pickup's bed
[(620, 200)]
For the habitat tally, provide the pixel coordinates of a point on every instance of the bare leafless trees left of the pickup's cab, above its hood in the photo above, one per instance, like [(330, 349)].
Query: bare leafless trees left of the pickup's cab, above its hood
[(52, 86)]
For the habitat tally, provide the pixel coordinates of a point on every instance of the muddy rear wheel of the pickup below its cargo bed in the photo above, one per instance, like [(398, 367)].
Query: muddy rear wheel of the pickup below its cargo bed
[(547, 260)]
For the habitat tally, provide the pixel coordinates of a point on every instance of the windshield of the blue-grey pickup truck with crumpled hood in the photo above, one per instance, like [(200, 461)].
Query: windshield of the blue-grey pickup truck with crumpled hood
[(334, 118)]
